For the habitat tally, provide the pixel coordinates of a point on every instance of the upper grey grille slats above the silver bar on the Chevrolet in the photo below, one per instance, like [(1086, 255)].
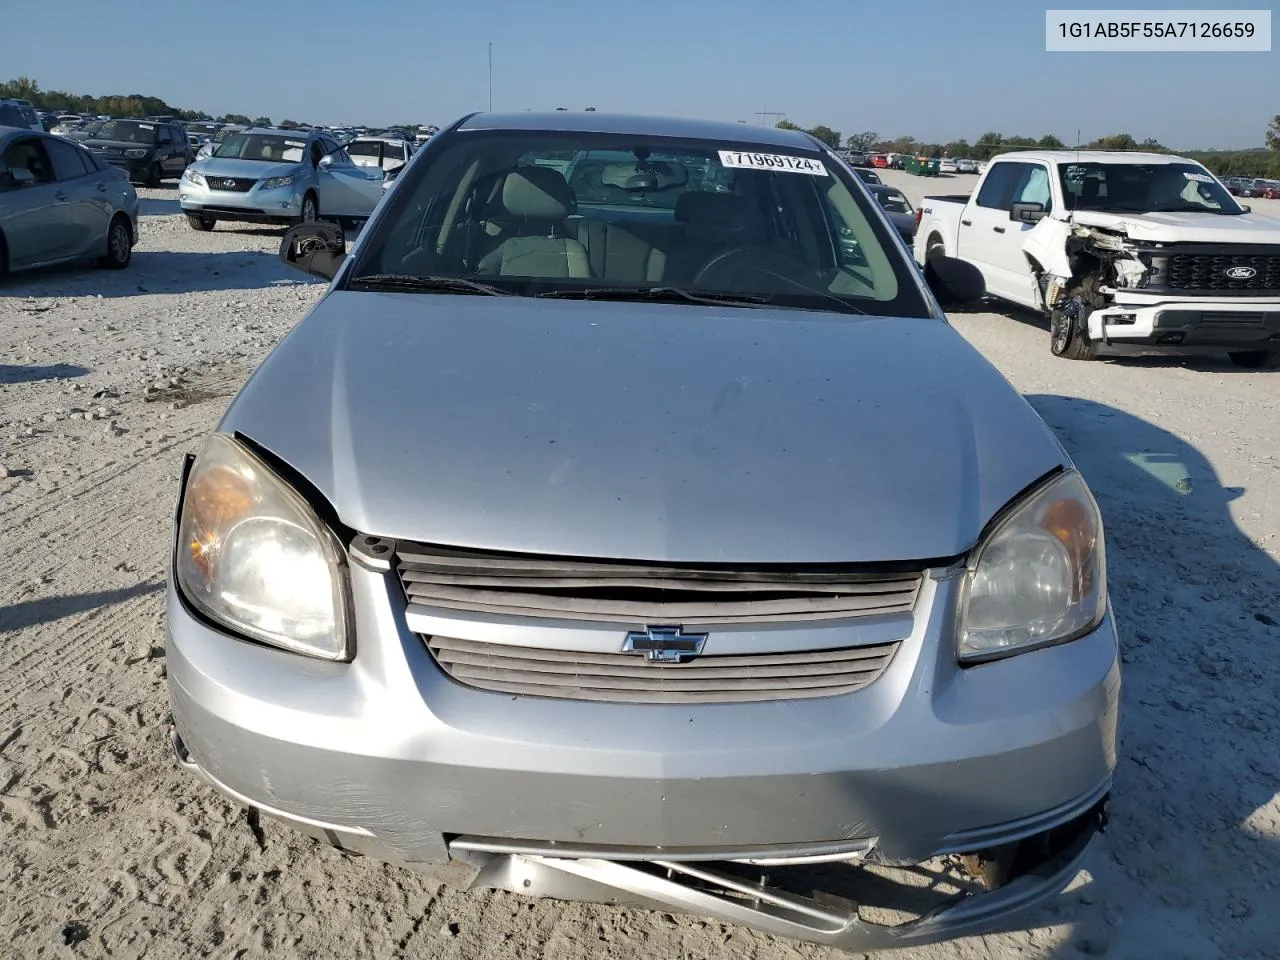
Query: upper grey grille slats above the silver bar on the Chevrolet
[(642, 595)]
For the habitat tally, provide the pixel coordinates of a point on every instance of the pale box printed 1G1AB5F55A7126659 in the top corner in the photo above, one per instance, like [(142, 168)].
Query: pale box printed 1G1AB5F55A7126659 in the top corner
[(1158, 31)]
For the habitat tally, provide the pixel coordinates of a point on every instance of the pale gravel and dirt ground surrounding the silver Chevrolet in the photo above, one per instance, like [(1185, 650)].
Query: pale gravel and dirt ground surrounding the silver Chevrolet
[(107, 851)]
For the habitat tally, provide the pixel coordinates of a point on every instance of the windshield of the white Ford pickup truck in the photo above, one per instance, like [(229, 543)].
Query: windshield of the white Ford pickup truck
[(1145, 189)]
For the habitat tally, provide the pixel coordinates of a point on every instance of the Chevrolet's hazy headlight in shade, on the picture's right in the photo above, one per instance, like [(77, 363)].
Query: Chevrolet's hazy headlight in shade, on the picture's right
[(1040, 578)]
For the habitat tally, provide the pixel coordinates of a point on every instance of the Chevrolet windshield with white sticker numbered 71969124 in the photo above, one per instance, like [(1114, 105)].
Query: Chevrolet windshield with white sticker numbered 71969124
[(584, 214)]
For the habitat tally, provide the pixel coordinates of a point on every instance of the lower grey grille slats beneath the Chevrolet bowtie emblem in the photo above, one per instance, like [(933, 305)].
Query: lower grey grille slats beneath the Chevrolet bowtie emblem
[(621, 678)]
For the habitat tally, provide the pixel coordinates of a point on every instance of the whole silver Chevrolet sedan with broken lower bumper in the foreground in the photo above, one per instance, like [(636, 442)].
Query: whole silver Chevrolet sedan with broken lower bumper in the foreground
[(618, 538)]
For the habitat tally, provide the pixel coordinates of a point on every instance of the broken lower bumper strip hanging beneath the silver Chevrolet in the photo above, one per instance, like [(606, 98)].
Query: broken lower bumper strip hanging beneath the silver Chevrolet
[(761, 889)]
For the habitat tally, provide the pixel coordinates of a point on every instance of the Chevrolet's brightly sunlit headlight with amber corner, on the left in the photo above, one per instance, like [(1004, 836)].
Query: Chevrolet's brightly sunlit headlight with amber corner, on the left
[(254, 557)]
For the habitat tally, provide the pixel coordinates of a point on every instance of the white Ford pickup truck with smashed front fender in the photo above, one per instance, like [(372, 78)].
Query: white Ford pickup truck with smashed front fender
[(1116, 248)]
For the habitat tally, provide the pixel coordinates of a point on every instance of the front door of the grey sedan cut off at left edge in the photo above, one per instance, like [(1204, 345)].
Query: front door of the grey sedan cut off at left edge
[(38, 225)]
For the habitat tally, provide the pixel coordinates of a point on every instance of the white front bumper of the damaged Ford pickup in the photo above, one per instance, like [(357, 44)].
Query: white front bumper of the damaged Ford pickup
[(1235, 324)]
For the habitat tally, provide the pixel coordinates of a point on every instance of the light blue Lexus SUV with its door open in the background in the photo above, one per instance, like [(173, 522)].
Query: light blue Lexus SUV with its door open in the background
[(278, 177)]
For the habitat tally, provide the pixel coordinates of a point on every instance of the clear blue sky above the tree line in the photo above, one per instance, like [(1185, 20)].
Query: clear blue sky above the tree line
[(932, 68)]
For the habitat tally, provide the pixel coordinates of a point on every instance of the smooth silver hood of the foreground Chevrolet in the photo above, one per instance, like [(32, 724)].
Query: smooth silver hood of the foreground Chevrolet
[(646, 432)]
